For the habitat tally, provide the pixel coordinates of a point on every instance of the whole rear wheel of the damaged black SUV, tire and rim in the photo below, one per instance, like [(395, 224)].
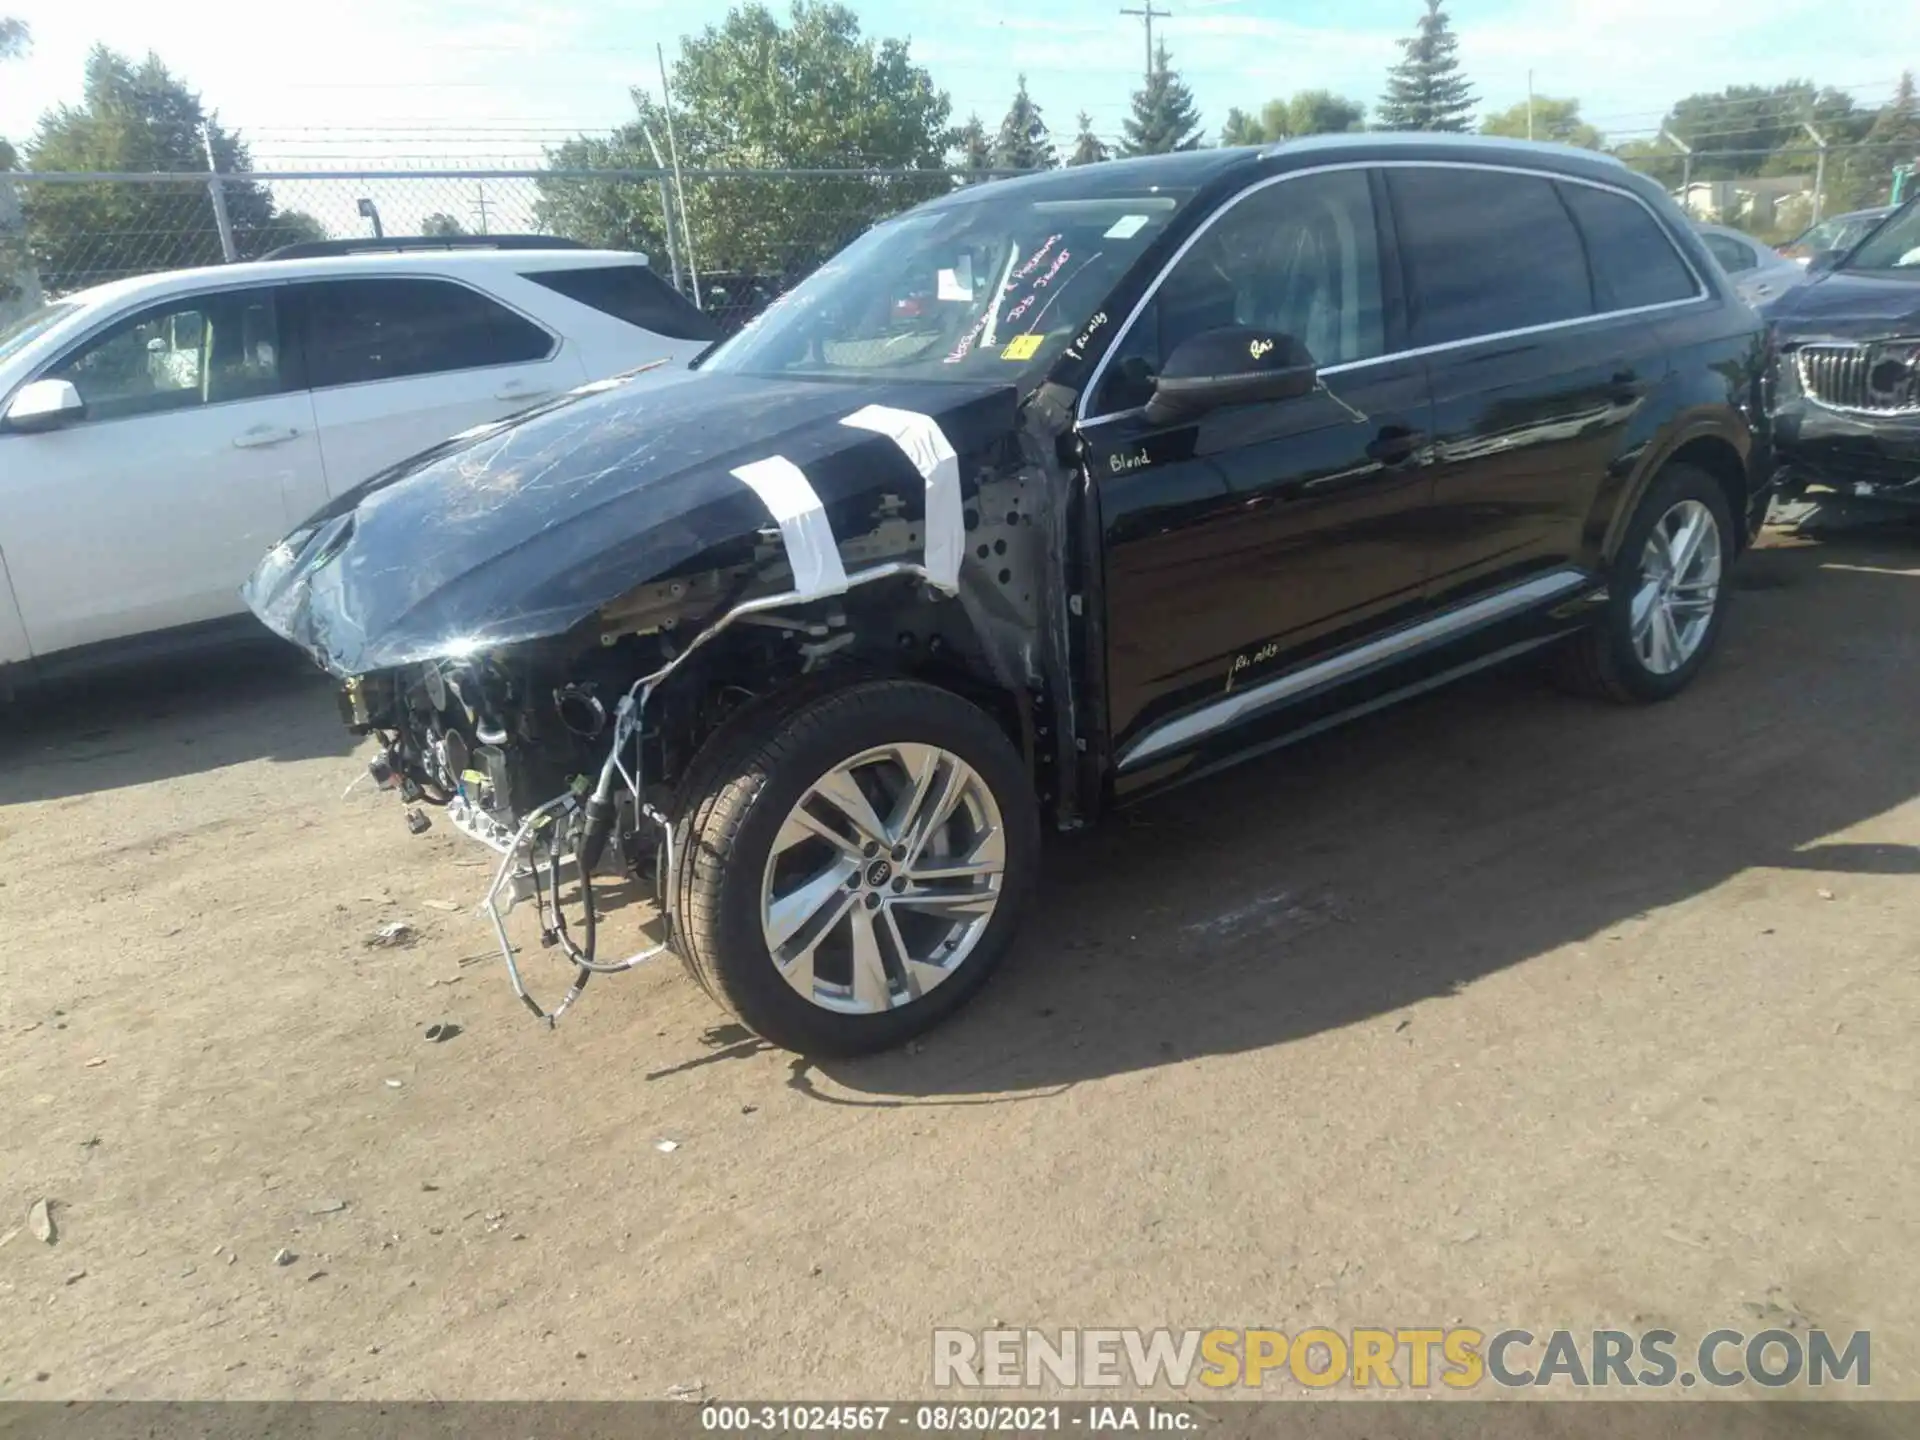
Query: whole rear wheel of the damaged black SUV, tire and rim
[(1666, 594)]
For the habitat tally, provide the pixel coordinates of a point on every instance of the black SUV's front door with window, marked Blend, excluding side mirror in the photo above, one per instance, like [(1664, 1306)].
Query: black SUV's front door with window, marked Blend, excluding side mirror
[(1260, 537)]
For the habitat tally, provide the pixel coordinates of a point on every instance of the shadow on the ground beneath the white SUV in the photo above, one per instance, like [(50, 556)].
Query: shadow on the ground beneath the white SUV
[(158, 723)]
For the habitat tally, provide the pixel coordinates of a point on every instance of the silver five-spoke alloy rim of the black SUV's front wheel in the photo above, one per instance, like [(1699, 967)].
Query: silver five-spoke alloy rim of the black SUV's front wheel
[(882, 878)]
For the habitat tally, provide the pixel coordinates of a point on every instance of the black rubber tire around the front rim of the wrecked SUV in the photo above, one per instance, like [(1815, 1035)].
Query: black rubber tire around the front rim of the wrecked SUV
[(740, 792)]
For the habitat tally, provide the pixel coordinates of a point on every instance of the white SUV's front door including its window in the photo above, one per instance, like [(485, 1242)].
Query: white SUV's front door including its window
[(195, 456)]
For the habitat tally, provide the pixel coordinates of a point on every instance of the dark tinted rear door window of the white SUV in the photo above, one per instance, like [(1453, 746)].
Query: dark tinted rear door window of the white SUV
[(391, 329)]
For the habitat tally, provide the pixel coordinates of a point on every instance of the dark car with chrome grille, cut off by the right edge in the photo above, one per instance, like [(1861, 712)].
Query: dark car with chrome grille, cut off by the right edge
[(1848, 383)]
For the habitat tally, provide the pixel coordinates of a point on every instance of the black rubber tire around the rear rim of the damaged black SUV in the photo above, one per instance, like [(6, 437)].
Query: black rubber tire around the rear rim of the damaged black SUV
[(1604, 660)]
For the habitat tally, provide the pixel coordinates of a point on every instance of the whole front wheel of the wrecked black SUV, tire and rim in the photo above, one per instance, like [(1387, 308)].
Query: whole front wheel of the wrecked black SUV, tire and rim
[(855, 871)]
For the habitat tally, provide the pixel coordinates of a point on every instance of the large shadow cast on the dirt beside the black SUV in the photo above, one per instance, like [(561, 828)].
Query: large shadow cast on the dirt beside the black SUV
[(1422, 850)]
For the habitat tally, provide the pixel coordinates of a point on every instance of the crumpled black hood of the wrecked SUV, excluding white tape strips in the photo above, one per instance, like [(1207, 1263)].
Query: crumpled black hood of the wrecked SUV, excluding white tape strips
[(523, 529)]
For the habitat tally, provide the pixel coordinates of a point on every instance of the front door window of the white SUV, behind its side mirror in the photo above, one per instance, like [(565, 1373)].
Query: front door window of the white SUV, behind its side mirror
[(187, 352)]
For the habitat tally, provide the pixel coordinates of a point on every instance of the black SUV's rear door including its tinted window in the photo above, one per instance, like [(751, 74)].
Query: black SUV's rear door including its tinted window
[(1533, 299)]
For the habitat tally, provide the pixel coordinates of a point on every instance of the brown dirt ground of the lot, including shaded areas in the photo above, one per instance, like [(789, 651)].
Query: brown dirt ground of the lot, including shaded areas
[(1500, 1009)]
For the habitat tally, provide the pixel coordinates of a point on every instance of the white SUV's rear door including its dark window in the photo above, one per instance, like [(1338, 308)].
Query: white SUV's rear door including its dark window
[(398, 364)]
